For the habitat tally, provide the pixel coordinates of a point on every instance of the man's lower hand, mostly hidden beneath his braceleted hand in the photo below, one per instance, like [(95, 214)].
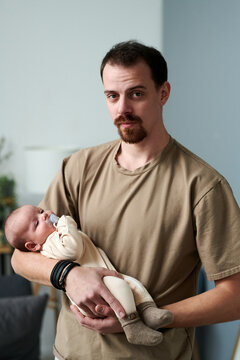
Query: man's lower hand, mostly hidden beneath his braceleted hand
[(107, 325)]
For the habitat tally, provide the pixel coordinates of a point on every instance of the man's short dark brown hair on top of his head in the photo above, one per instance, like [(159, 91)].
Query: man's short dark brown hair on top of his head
[(130, 52)]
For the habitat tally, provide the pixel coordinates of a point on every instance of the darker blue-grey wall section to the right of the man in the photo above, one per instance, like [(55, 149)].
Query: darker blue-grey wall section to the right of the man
[(201, 44)]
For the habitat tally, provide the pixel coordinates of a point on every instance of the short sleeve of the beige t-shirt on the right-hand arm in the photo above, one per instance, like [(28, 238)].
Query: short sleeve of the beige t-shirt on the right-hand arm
[(217, 218)]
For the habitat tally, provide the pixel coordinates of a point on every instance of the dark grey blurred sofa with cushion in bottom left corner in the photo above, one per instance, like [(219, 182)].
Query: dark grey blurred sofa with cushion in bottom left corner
[(21, 315)]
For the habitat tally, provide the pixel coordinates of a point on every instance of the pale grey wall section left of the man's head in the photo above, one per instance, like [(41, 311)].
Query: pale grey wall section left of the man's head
[(51, 50)]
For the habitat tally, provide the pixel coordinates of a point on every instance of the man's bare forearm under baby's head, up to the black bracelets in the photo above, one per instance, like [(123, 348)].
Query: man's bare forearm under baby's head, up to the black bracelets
[(33, 266)]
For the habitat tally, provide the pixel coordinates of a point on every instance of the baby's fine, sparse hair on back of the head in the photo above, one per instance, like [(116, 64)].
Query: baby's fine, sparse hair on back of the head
[(13, 235)]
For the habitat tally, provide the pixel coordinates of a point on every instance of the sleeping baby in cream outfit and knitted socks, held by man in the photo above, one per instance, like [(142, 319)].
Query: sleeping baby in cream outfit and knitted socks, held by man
[(30, 228)]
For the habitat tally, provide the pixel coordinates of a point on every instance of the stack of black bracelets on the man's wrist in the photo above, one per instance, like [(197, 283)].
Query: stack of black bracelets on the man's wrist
[(58, 272)]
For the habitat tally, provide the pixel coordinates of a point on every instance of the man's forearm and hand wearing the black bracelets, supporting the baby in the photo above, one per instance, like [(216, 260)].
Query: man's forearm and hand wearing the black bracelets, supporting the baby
[(83, 284)]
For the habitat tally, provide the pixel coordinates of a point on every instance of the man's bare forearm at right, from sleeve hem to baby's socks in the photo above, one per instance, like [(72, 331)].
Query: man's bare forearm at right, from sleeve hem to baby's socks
[(217, 305)]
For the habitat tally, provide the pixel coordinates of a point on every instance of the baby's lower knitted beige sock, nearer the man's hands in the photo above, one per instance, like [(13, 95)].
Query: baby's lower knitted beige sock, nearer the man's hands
[(138, 333)]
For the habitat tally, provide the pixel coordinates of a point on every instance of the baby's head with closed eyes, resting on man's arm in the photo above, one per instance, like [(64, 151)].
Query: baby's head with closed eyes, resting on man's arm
[(28, 227)]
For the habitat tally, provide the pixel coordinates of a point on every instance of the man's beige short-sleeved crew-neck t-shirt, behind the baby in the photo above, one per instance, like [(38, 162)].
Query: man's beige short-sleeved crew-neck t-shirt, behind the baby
[(158, 224)]
